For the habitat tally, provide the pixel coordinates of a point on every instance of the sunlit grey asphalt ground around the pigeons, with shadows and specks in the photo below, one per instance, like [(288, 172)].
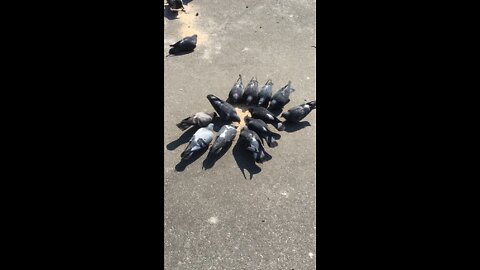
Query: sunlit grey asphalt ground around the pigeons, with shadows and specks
[(215, 218)]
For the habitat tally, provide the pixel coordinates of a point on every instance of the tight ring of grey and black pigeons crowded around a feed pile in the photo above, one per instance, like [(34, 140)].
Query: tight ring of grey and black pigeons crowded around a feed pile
[(261, 103)]
